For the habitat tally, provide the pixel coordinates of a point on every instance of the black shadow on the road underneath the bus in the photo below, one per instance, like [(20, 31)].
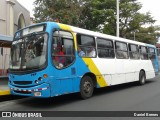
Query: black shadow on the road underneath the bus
[(48, 103)]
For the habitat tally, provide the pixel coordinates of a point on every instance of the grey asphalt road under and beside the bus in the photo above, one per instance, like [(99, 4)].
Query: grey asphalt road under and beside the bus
[(126, 97)]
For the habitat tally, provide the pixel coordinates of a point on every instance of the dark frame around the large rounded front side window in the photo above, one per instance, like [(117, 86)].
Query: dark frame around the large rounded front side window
[(74, 56)]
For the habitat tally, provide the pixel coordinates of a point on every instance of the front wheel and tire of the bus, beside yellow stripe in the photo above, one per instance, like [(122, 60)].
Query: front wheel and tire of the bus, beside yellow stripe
[(86, 87)]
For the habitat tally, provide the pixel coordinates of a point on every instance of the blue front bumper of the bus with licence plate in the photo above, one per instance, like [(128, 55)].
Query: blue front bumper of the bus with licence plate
[(42, 91)]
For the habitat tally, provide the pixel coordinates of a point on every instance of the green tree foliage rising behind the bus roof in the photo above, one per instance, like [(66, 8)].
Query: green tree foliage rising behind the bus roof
[(99, 15)]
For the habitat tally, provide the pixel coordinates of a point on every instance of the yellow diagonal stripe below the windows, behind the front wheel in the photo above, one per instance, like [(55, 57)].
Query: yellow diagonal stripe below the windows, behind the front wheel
[(93, 68)]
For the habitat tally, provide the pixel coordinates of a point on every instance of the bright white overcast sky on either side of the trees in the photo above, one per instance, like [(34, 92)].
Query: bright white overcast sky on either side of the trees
[(152, 6)]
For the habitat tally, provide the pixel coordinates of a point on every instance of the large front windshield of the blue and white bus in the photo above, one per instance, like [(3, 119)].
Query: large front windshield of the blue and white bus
[(29, 52)]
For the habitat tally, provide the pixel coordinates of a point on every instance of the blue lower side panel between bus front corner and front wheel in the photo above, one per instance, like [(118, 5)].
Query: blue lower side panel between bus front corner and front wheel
[(66, 81)]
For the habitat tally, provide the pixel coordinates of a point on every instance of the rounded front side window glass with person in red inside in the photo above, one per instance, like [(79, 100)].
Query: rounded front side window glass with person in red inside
[(62, 49)]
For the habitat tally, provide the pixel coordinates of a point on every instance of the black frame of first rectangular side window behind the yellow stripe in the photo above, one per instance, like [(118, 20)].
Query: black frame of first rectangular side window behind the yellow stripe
[(95, 45)]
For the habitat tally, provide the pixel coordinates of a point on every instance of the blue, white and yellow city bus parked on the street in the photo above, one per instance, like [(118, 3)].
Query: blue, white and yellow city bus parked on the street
[(52, 59)]
